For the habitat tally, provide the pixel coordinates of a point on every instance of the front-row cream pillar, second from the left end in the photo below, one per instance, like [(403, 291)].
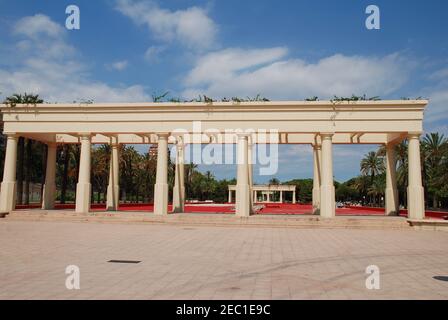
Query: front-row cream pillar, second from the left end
[(84, 188)]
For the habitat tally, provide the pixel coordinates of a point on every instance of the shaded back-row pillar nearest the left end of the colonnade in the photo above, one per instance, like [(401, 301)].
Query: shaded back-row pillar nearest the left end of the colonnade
[(49, 194)]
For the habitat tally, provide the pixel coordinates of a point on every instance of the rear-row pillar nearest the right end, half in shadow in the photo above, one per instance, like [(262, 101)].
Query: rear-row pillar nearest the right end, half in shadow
[(391, 192)]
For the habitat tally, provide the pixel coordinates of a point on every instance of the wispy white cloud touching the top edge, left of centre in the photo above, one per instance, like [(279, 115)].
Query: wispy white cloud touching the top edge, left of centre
[(191, 27)]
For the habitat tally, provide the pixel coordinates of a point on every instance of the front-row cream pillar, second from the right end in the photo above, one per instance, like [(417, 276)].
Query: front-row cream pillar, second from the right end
[(327, 193)]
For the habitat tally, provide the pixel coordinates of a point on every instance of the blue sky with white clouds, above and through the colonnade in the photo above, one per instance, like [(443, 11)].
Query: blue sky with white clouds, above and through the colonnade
[(127, 50)]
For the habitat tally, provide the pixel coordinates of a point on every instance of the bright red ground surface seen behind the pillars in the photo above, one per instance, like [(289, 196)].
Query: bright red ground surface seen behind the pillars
[(272, 208)]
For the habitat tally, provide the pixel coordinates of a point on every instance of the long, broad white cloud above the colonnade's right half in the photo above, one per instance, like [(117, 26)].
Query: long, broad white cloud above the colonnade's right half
[(268, 72)]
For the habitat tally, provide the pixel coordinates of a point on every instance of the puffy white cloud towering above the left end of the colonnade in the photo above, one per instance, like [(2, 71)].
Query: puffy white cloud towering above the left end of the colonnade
[(48, 66)]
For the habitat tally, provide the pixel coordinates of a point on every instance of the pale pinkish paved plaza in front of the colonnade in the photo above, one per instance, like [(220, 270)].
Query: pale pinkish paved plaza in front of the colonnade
[(201, 262)]
